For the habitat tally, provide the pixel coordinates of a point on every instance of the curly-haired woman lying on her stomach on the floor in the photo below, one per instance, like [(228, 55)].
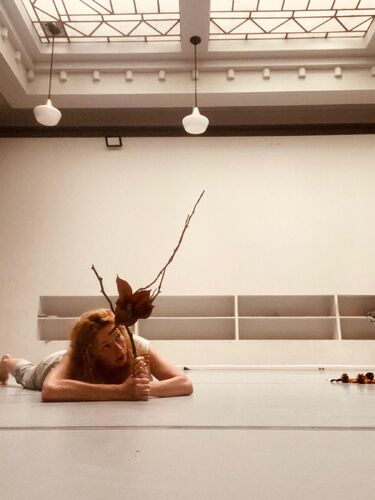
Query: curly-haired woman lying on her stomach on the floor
[(99, 366)]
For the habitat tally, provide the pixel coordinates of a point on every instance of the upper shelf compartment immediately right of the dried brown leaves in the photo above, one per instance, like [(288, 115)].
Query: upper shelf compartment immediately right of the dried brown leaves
[(194, 306)]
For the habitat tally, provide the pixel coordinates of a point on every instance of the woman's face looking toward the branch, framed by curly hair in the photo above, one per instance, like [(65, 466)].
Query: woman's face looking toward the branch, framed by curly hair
[(110, 347)]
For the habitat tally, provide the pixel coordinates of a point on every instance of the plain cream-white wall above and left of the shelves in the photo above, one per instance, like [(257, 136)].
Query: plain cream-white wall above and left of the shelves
[(280, 215)]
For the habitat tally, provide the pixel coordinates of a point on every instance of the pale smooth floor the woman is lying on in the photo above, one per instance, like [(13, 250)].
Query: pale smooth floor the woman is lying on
[(242, 435)]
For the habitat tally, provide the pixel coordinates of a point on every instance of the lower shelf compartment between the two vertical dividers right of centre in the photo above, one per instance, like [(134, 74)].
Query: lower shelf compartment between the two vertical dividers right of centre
[(265, 328)]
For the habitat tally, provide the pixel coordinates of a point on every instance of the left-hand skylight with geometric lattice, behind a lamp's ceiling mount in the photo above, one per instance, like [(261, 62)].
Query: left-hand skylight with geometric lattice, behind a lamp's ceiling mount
[(107, 20)]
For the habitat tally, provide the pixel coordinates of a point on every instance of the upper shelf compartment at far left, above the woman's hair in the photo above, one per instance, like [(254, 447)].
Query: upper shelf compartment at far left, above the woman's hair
[(71, 306)]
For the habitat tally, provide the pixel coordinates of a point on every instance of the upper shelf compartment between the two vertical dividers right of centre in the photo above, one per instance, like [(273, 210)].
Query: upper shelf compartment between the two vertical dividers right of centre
[(286, 305)]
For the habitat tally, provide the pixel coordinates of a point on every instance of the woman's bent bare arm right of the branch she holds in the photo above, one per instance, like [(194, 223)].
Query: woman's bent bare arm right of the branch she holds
[(170, 380)]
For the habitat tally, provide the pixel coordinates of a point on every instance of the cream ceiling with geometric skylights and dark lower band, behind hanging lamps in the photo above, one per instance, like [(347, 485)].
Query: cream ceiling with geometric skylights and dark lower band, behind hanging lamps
[(126, 66)]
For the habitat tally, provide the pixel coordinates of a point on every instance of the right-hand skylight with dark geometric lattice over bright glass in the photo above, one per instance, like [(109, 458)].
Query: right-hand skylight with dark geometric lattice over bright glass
[(275, 19)]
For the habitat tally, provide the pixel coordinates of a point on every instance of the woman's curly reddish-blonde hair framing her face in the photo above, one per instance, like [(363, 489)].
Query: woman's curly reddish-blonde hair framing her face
[(83, 364)]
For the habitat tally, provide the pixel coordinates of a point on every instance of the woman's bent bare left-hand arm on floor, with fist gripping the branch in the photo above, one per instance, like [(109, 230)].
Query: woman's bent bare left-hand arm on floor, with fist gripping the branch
[(59, 387)]
